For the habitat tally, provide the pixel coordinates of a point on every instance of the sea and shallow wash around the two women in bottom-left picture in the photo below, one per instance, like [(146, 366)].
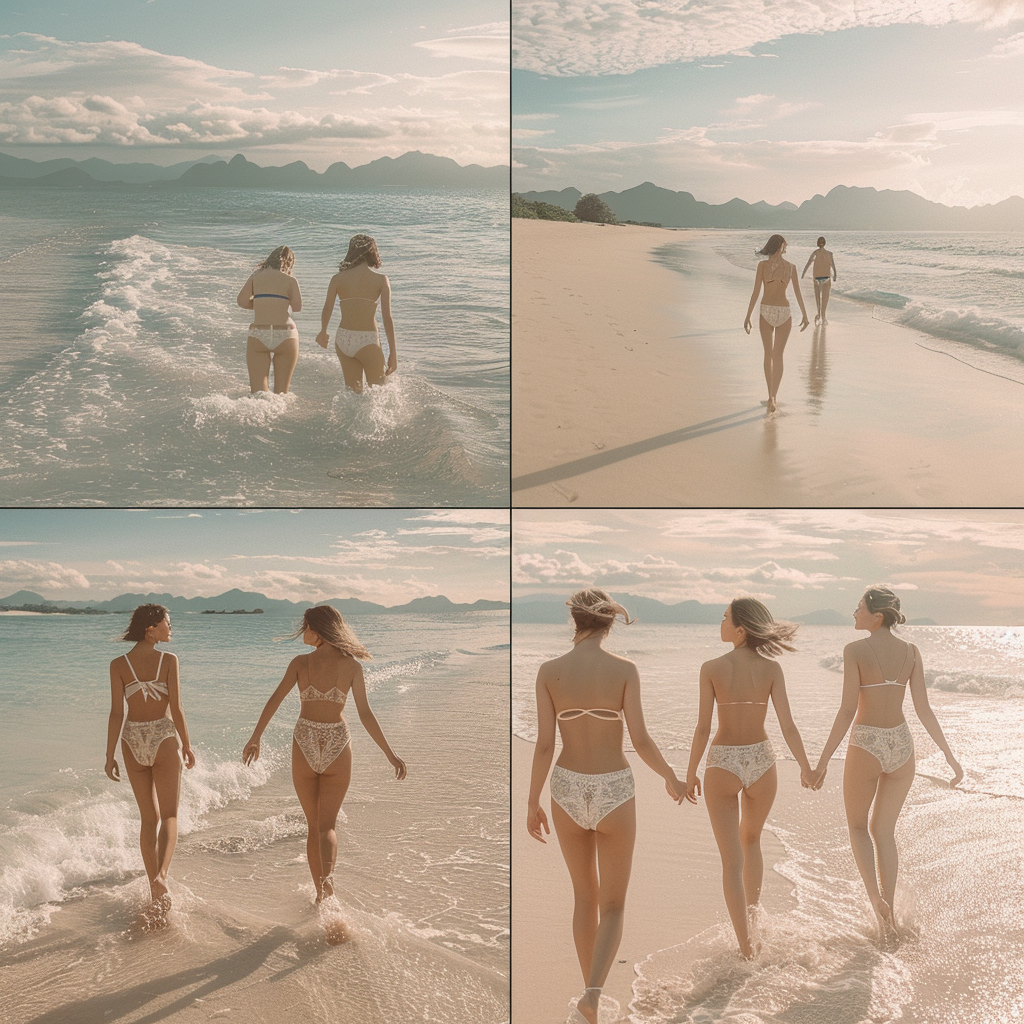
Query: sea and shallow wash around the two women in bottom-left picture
[(423, 869)]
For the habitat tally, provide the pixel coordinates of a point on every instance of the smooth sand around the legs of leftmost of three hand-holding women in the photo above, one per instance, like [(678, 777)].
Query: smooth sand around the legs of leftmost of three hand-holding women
[(675, 892)]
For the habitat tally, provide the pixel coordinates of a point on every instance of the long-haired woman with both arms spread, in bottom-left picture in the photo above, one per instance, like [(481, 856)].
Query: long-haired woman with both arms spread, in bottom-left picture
[(322, 755)]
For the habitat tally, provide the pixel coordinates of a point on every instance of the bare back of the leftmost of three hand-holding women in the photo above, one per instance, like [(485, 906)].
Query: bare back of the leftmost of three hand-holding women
[(589, 678)]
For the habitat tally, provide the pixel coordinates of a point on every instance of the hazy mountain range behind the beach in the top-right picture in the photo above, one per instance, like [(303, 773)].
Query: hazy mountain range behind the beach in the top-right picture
[(843, 209)]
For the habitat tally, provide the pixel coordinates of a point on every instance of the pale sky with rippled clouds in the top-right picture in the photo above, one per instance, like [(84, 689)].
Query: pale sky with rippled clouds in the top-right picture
[(775, 102)]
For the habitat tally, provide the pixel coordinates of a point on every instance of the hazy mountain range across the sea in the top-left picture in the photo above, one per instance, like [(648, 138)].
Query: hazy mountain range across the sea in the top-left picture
[(412, 170)]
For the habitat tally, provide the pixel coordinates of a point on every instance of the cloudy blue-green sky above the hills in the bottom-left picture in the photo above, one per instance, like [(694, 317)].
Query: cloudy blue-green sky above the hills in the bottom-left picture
[(387, 557)]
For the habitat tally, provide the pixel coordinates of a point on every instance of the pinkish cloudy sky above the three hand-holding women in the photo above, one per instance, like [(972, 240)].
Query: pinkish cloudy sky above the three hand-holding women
[(958, 568)]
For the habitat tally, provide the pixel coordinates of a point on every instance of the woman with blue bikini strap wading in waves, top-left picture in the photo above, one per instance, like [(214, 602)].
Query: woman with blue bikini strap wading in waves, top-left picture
[(274, 337)]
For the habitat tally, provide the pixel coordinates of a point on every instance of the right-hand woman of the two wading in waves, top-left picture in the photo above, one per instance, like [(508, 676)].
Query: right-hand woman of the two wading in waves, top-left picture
[(359, 288)]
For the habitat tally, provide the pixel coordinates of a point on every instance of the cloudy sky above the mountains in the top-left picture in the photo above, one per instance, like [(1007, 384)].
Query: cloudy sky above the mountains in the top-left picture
[(164, 81)]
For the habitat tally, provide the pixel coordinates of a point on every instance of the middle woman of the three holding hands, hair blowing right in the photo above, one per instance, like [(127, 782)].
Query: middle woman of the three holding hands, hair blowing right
[(741, 779)]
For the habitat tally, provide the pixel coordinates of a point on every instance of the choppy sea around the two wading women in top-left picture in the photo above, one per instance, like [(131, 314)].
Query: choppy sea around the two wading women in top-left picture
[(124, 374)]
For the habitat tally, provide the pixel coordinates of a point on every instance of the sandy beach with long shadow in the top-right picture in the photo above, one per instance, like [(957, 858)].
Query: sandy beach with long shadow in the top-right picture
[(634, 383)]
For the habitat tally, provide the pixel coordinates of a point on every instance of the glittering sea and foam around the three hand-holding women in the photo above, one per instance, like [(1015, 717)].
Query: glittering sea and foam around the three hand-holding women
[(959, 900)]
